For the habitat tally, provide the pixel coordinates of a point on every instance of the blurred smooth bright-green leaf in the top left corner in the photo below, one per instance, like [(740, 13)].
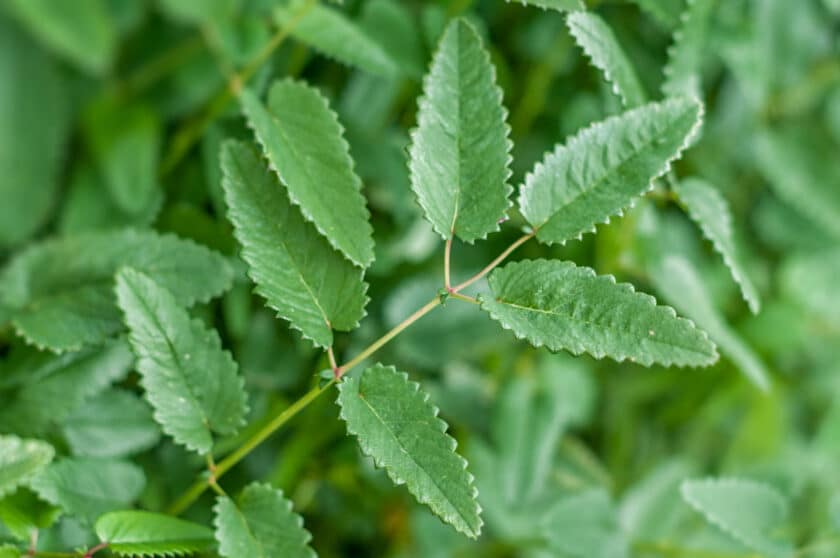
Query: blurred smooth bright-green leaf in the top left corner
[(83, 32)]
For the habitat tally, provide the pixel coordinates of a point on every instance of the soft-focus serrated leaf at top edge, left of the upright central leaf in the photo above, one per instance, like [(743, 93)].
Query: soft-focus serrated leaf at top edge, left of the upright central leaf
[(331, 33)]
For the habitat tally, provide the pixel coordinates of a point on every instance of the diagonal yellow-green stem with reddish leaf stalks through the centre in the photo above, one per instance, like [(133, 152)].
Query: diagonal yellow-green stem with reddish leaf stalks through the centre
[(212, 476)]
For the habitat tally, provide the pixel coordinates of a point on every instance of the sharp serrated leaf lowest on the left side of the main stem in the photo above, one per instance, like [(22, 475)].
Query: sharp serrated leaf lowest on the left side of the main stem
[(190, 381)]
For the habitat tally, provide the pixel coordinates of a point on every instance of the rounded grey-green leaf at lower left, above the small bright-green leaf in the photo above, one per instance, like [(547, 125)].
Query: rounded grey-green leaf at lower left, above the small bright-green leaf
[(87, 488)]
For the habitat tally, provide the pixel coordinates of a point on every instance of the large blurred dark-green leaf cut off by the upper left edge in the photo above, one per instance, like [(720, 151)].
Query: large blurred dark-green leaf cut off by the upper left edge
[(30, 162)]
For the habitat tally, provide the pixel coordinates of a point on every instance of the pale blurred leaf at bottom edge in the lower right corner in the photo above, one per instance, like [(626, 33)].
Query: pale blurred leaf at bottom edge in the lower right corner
[(744, 509)]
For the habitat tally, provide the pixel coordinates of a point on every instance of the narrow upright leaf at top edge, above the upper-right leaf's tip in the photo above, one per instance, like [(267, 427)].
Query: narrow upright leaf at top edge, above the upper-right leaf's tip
[(685, 57)]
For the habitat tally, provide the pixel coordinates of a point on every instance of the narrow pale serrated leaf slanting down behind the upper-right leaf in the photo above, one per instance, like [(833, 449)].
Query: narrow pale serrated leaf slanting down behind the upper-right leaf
[(598, 41)]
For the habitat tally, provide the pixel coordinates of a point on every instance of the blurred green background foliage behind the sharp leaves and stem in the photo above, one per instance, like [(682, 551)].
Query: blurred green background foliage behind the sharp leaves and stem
[(111, 115)]
